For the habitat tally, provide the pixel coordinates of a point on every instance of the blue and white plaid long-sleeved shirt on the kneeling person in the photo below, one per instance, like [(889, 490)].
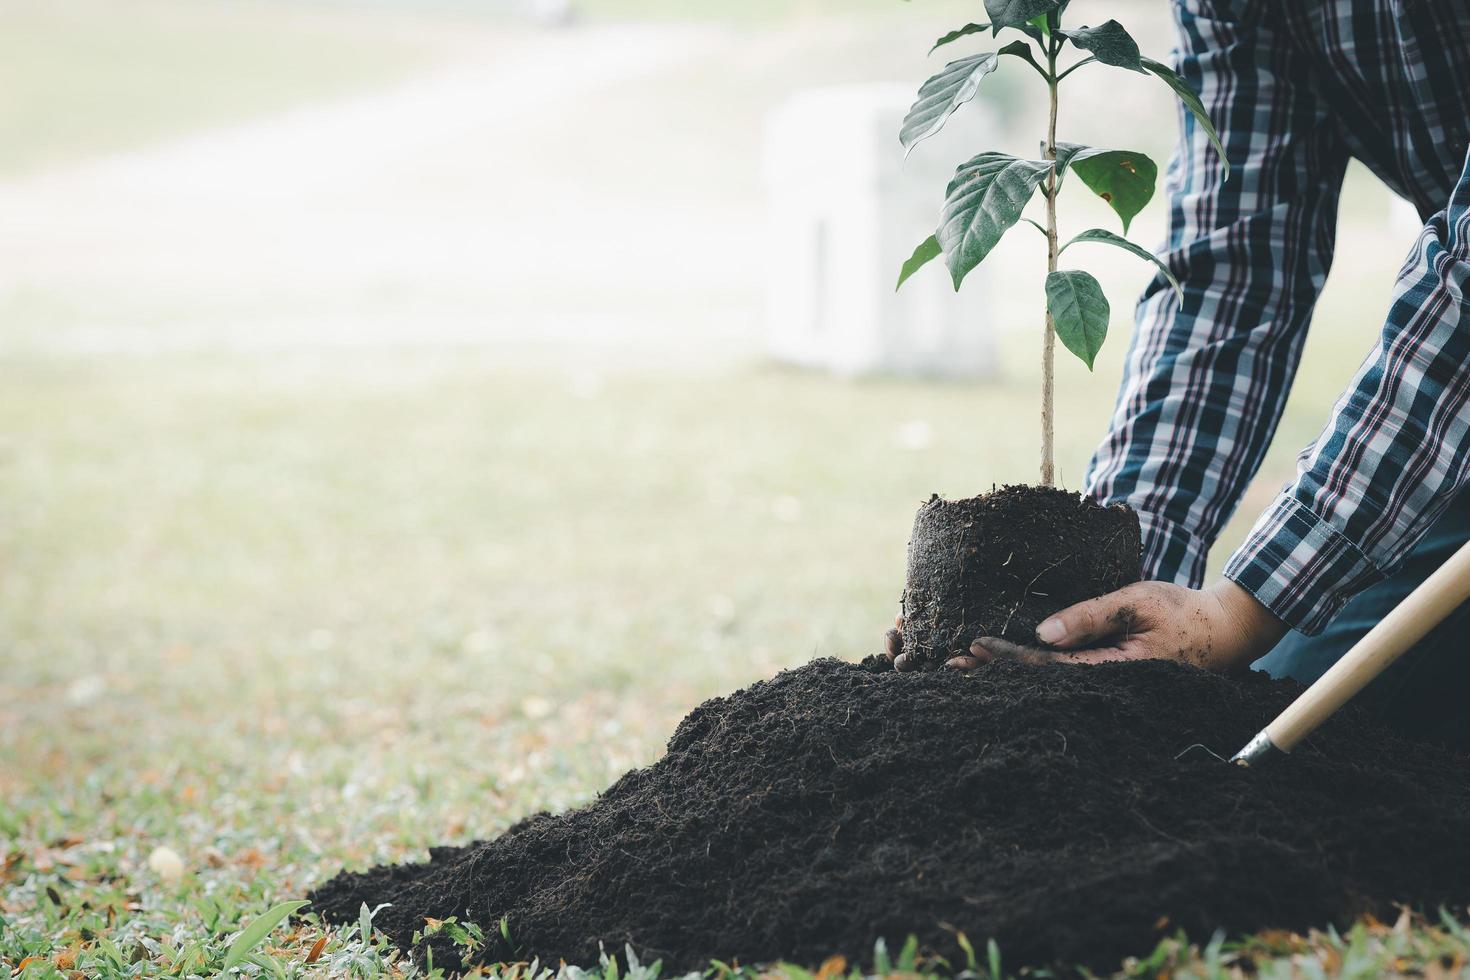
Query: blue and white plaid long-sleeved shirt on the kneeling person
[(1296, 89)]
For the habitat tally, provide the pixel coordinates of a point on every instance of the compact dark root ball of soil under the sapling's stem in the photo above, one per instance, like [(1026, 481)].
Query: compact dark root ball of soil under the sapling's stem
[(1002, 563)]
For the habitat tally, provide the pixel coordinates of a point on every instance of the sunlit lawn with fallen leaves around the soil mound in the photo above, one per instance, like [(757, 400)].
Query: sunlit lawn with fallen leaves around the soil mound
[(290, 615)]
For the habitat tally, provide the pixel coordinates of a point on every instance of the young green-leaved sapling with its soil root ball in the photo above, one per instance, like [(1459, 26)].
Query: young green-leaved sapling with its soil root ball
[(997, 565)]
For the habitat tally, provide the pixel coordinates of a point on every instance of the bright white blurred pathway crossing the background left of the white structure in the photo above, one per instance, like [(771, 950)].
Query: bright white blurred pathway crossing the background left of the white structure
[(486, 203)]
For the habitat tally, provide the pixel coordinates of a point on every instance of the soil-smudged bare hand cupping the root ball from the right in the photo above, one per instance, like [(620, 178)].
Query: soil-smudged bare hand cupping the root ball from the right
[(1222, 628)]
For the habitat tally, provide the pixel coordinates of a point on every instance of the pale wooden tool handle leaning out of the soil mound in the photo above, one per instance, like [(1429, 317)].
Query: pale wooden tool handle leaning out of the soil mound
[(1425, 609)]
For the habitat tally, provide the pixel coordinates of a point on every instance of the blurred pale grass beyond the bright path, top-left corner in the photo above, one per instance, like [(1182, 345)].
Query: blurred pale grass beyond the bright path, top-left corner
[(87, 77)]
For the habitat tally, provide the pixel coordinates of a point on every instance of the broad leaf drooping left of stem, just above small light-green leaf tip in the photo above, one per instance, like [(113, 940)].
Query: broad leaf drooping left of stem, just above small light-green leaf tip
[(986, 199)]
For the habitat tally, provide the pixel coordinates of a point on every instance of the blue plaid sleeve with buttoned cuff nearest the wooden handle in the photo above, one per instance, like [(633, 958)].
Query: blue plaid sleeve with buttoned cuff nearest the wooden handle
[(1394, 453)]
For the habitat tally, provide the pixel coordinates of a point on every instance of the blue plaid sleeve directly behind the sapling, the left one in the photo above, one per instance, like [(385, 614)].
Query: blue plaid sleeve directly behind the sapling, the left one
[(1208, 375)]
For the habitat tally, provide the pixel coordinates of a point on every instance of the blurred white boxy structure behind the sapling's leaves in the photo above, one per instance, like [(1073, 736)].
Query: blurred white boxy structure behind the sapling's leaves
[(846, 212)]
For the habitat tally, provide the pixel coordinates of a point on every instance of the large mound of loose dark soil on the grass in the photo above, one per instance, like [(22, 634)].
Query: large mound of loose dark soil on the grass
[(1043, 807)]
